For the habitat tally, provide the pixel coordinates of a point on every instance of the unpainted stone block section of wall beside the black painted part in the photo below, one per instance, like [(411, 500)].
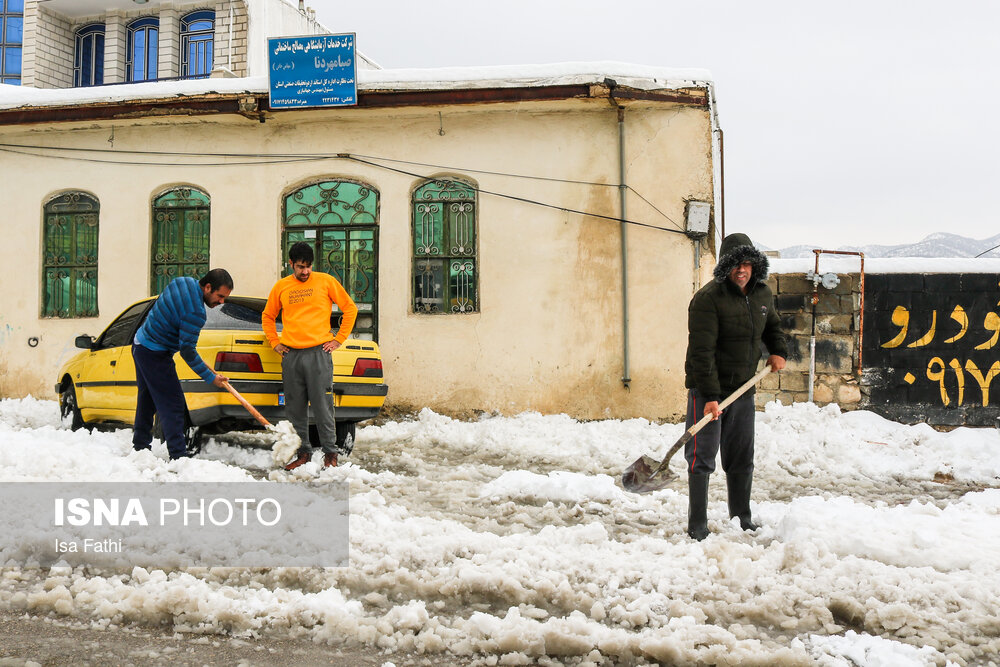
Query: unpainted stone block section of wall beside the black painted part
[(837, 326)]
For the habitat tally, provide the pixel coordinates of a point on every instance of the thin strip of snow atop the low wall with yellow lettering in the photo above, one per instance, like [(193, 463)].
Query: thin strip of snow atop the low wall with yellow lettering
[(845, 264)]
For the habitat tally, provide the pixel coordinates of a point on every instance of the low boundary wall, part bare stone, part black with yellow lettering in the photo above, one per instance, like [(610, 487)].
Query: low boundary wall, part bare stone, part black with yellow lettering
[(929, 349)]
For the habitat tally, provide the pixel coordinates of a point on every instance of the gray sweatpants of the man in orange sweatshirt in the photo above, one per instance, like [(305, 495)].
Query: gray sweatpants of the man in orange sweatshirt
[(307, 375)]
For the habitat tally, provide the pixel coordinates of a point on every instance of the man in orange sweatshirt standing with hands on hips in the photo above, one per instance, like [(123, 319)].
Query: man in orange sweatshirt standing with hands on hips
[(305, 300)]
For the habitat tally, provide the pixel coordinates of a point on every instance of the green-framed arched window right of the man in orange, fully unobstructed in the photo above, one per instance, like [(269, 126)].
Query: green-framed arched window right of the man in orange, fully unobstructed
[(445, 279)]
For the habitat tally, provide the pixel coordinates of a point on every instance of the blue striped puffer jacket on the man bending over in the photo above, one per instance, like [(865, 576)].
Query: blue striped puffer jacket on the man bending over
[(175, 323)]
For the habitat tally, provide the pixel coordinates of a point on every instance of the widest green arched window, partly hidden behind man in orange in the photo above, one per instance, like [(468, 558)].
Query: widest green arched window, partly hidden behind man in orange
[(340, 220)]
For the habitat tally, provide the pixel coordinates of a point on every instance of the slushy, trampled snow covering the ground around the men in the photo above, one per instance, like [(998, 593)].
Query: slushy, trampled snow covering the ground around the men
[(509, 540)]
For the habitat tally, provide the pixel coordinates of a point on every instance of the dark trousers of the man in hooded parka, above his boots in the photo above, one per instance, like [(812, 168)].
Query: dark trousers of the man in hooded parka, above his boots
[(732, 432)]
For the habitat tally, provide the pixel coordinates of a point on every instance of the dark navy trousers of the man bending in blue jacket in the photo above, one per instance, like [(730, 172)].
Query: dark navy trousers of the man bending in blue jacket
[(159, 393)]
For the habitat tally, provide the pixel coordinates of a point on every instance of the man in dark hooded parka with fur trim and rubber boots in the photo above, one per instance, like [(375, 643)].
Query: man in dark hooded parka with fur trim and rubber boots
[(728, 319)]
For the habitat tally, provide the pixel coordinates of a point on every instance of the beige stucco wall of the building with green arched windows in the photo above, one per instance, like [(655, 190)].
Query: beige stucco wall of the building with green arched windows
[(548, 336)]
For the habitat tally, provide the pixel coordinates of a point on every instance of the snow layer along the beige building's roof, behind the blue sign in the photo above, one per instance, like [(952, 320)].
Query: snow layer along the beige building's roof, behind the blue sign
[(450, 78)]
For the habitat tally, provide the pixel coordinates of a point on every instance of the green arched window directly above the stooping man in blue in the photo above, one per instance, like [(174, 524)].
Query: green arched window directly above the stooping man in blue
[(181, 230)]
